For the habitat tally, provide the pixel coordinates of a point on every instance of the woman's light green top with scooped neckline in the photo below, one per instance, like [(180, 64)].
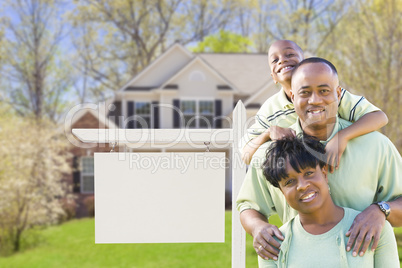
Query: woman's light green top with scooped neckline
[(301, 249)]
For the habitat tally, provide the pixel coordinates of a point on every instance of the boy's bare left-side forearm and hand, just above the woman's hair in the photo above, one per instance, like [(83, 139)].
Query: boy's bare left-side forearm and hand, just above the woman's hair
[(272, 133)]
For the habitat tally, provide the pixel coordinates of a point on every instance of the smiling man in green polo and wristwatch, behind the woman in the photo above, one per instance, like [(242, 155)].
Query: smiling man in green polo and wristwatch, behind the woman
[(370, 170)]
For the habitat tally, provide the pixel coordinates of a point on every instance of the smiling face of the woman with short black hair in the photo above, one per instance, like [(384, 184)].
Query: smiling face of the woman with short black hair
[(306, 191)]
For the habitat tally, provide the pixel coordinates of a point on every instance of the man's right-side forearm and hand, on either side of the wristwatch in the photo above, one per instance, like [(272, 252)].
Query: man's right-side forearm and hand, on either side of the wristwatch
[(369, 224)]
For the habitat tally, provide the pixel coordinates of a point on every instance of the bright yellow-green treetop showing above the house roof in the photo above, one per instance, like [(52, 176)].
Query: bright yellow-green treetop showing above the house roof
[(224, 41)]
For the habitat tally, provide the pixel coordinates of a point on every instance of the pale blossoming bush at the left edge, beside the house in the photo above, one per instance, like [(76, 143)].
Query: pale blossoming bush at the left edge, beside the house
[(34, 160)]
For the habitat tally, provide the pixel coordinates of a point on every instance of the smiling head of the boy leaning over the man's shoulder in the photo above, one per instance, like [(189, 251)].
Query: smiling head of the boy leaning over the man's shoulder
[(283, 56)]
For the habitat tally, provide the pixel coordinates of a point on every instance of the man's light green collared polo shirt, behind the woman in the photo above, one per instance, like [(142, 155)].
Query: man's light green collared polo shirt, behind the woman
[(370, 170)]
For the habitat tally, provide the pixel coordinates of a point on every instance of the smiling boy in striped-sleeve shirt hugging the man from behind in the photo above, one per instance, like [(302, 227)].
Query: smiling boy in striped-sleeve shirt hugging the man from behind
[(277, 113)]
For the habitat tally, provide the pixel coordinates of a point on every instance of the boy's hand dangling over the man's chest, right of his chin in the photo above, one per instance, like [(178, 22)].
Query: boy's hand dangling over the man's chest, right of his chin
[(334, 150)]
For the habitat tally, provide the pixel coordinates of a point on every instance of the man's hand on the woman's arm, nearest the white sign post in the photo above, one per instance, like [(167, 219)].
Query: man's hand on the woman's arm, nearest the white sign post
[(264, 244)]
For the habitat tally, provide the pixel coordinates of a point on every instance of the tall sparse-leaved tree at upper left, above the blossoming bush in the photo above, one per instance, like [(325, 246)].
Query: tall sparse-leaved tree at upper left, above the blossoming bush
[(35, 77)]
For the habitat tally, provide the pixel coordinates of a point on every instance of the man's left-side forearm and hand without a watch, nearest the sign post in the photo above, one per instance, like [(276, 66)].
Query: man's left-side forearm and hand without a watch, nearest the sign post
[(262, 232)]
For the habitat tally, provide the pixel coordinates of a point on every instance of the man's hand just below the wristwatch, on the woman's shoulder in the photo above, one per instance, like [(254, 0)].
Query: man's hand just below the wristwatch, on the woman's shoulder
[(367, 226)]
